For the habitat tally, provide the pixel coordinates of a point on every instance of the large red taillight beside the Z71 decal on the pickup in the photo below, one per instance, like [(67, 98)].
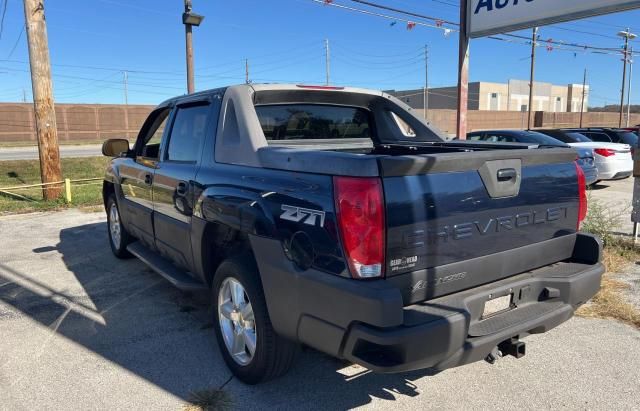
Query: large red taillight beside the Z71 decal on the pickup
[(360, 216)]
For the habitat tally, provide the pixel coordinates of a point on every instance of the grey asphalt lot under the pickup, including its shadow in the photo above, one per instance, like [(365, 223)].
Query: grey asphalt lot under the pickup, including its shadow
[(82, 330)]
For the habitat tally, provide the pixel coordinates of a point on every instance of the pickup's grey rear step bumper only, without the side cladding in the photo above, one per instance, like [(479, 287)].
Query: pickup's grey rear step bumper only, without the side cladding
[(448, 332)]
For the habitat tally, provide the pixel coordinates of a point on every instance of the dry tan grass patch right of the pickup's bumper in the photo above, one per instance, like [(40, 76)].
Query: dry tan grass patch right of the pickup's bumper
[(610, 302)]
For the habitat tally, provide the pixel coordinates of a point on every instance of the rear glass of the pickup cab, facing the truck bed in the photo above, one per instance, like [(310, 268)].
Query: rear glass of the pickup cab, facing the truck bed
[(313, 121)]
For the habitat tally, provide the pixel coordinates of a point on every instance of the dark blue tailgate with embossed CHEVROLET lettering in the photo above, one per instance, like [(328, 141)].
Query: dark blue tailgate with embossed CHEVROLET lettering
[(454, 224)]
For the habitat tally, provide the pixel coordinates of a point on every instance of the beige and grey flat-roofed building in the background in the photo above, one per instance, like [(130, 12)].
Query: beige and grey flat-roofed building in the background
[(512, 96)]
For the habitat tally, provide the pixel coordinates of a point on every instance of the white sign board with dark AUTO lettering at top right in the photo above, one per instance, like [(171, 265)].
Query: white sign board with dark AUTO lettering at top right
[(486, 17)]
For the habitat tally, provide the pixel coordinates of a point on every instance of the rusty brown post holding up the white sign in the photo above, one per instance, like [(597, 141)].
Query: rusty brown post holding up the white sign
[(463, 73)]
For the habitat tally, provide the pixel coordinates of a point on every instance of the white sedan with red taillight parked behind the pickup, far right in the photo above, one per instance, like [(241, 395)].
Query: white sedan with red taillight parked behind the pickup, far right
[(613, 160)]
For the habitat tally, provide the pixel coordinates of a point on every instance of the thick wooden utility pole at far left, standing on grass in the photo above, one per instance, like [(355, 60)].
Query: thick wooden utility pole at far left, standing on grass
[(46, 128)]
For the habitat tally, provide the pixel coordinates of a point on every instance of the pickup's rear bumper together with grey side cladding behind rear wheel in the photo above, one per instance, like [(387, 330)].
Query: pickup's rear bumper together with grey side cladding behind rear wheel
[(366, 323)]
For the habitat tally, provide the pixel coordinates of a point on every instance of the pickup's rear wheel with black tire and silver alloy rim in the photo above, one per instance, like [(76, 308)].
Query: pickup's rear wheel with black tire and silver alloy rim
[(272, 355)]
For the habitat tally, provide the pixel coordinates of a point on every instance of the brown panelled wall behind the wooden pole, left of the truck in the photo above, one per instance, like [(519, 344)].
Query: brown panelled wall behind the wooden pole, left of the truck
[(76, 122)]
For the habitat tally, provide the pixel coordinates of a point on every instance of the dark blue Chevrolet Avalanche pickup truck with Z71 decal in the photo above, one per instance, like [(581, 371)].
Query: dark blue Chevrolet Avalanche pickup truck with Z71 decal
[(336, 218)]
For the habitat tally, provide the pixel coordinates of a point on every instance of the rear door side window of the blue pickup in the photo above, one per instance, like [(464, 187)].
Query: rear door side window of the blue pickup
[(188, 132)]
